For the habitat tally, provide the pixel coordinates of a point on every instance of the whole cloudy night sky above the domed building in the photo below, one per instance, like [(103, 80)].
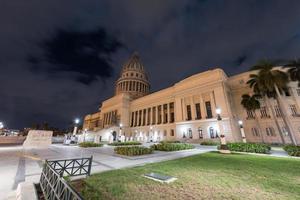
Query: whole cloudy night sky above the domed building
[(59, 58)]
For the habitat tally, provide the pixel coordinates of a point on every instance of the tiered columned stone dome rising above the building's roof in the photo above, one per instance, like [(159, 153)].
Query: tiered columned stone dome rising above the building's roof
[(133, 78)]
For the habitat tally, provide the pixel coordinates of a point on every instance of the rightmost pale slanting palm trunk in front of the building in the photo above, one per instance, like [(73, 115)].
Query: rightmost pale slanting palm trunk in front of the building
[(285, 116)]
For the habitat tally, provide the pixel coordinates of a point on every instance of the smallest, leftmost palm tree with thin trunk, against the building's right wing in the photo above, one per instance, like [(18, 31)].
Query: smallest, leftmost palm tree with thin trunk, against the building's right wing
[(251, 103)]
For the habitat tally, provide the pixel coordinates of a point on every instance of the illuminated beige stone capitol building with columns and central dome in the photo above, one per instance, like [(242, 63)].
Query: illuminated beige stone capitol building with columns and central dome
[(200, 107)]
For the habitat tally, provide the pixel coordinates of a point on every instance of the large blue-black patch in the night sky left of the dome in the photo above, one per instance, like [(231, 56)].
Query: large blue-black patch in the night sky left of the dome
[(87, 53)]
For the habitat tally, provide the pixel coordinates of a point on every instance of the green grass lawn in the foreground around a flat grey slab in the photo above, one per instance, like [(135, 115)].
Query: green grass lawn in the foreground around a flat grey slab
[(205, 176)]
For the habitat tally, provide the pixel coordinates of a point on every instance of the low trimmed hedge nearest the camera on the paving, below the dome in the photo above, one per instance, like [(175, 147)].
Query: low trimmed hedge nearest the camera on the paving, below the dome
[(133, 150)]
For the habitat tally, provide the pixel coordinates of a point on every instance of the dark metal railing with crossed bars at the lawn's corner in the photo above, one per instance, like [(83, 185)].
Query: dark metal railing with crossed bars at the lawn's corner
[(52, 182)]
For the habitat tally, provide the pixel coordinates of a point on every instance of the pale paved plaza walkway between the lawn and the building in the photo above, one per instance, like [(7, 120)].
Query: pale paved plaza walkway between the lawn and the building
[(18, 164)]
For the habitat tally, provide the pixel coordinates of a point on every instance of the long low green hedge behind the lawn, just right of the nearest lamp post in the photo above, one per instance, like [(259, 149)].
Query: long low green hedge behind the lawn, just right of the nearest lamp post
[(249, 147)]
